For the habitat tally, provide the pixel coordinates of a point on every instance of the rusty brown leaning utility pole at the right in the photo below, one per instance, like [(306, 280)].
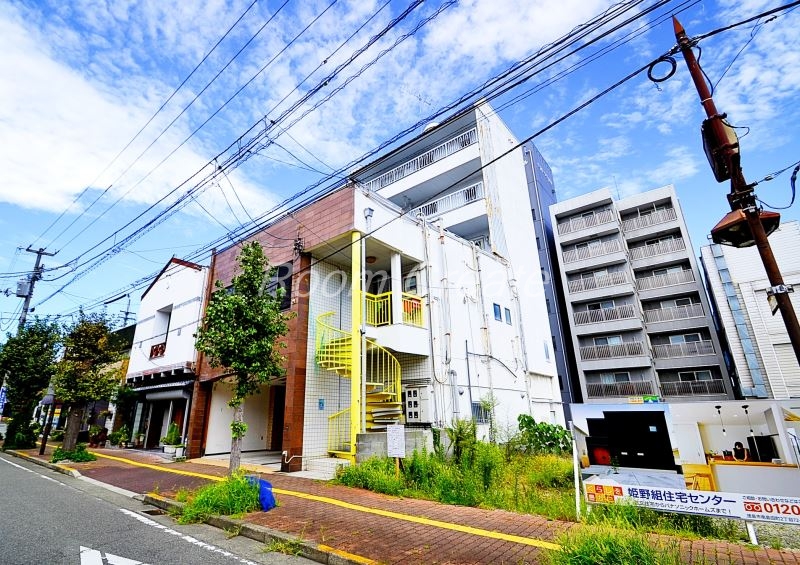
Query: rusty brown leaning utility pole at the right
[(744, 225)]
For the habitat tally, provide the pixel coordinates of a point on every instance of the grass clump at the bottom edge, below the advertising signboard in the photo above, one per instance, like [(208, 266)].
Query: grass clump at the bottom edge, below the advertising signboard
[(609, 546)]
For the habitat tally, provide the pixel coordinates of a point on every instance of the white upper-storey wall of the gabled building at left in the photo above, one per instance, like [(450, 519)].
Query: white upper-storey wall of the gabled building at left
[(181, 288)]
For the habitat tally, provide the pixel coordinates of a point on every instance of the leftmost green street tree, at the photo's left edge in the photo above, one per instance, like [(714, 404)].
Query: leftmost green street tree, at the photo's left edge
[(28, 360)]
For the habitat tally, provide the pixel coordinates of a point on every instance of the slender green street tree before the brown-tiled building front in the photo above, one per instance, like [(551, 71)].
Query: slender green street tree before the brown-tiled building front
[(241, 333)]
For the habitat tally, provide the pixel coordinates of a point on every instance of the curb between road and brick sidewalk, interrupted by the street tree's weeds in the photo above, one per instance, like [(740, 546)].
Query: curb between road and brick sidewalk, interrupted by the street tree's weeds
[(309, 550)]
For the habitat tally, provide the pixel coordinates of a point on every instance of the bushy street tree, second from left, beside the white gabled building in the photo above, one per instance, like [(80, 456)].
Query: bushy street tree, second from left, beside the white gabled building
[(82, 374)]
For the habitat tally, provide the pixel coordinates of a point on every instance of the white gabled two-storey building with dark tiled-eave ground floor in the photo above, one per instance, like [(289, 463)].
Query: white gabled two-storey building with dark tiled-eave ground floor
[(163, 359)]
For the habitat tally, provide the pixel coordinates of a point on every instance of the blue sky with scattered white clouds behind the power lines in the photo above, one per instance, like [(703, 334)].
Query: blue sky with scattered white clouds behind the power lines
[(82, 78)]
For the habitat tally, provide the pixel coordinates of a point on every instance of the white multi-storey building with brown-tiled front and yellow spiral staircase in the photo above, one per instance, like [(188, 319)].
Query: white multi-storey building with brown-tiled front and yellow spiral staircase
[(418, 299)]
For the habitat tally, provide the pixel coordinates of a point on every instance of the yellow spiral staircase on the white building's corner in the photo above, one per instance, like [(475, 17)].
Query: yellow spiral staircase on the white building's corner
[(334, 352)]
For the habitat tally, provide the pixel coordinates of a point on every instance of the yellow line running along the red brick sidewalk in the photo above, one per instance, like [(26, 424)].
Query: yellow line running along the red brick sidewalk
[(366, 509)]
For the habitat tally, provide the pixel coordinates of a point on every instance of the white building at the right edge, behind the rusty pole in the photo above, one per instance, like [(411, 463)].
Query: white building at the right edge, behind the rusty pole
[(759, 349)]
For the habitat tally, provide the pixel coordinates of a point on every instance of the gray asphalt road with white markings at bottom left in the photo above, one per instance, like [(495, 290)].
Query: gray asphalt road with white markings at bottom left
[(47, 517)]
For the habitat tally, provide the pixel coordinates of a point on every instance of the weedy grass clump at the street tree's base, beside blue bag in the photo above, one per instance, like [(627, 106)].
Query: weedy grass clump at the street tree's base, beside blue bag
[(233, 496)]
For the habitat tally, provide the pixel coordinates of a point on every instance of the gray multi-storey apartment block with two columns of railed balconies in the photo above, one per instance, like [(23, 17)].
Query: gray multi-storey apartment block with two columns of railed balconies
[(638, 314)]
